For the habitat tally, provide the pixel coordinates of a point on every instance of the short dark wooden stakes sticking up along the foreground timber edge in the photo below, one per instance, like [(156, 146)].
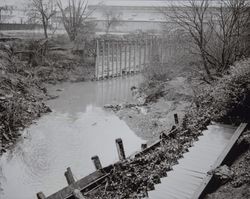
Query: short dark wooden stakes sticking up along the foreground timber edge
[(97, 163)]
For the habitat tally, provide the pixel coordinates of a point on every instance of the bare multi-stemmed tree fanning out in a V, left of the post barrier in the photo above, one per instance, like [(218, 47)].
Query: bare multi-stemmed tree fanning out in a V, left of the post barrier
[(74, 17)]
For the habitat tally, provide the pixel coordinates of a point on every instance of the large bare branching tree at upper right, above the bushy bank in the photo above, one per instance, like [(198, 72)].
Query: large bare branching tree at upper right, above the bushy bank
[(217, 30)]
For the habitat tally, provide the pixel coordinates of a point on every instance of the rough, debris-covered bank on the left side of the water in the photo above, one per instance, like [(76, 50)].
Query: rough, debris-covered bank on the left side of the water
[(26, 66)]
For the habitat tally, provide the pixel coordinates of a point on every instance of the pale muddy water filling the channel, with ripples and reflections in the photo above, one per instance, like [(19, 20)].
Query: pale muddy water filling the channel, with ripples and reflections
[(77, 129)]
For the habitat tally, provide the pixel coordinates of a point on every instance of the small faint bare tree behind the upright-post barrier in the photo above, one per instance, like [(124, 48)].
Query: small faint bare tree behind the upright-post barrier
[(112, 18)]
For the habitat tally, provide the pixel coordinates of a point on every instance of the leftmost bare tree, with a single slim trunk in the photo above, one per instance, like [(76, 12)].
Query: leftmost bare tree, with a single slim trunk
[(41, 11)]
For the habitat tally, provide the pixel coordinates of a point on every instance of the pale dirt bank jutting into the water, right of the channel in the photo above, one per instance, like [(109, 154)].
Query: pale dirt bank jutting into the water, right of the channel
[(155, 111)]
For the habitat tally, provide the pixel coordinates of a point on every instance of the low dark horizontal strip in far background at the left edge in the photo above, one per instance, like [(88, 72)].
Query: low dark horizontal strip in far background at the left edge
[(19, 26)]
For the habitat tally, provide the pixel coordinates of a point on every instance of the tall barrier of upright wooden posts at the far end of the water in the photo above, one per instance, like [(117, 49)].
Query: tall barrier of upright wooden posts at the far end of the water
[(122, 57)]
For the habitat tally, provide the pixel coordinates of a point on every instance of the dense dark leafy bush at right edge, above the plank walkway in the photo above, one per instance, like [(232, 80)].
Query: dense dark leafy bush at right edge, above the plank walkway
[(228, 99)]
